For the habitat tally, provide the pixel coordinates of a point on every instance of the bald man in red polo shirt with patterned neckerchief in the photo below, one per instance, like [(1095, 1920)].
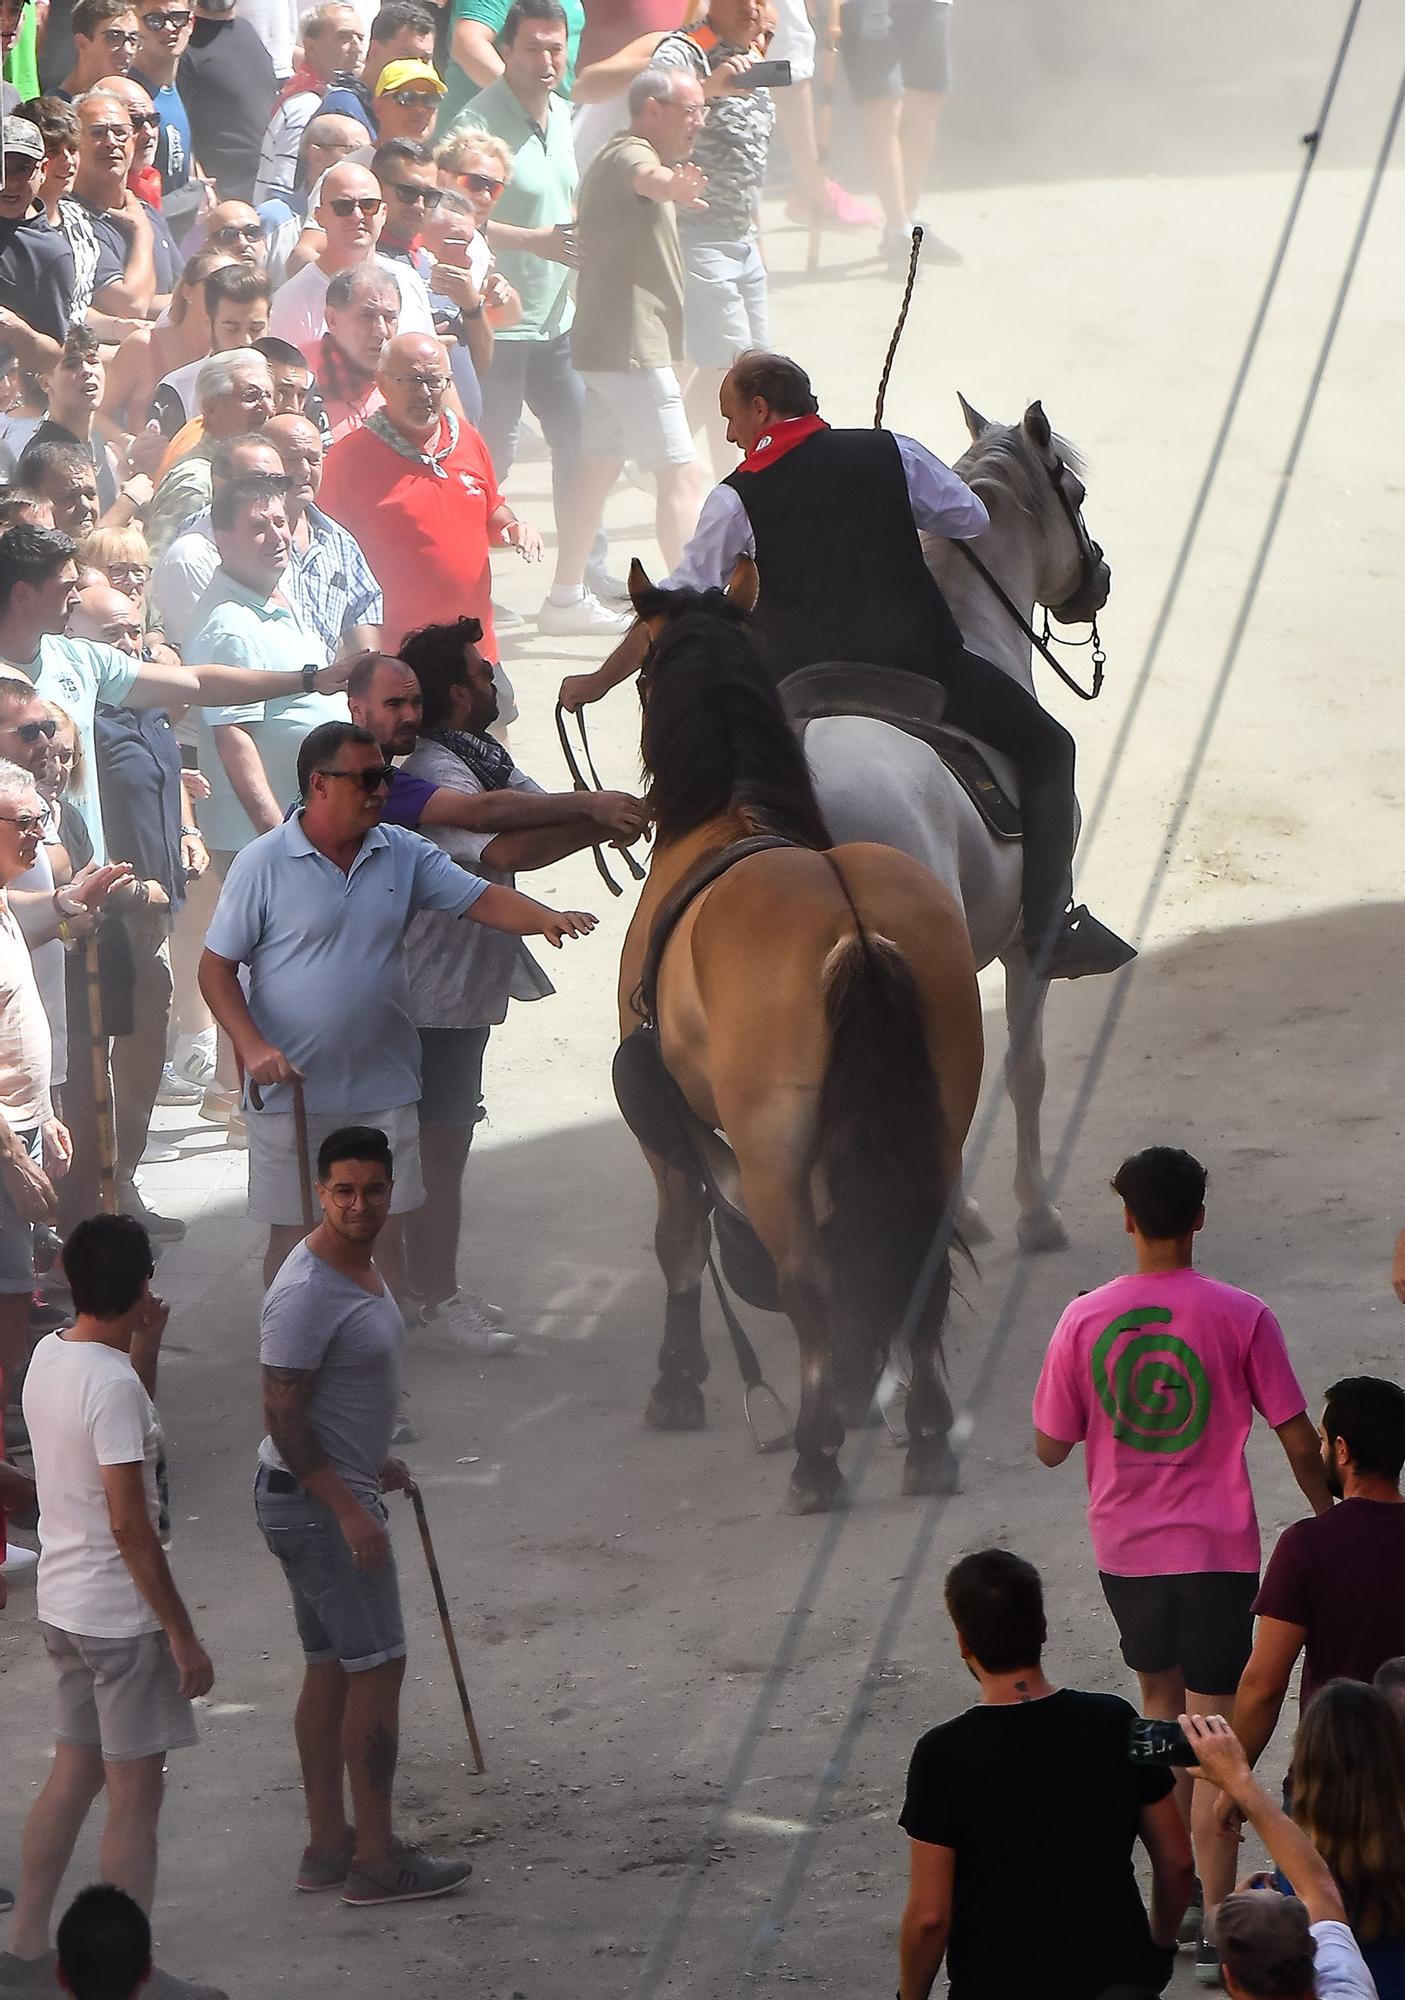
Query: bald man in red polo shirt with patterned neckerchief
[(415, 489)]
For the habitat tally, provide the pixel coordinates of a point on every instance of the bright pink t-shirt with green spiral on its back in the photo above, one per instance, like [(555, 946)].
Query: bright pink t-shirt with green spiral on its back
[(1160, 1379)]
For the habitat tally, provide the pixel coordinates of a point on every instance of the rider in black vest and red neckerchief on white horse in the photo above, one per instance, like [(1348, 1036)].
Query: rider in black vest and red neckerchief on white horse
[(834, 521)]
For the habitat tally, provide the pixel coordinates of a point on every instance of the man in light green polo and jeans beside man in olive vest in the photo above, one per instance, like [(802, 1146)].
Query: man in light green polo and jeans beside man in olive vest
[(533, 245)]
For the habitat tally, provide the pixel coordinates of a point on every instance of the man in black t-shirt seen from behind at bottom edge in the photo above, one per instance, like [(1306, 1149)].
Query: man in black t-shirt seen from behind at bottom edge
[(1024, 1815)]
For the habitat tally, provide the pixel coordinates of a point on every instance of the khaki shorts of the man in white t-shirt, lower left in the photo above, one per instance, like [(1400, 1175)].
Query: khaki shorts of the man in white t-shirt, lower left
[(119, 1695)]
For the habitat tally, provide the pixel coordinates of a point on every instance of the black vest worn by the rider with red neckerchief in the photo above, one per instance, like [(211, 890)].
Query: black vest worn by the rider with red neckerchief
[(842, 565)]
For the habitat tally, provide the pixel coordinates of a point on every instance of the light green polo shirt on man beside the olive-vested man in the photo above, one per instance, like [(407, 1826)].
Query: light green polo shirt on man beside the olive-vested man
[(539, 195)]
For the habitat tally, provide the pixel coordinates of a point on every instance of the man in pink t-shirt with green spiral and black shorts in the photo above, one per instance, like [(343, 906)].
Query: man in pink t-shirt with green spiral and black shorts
[(1160, 1375)]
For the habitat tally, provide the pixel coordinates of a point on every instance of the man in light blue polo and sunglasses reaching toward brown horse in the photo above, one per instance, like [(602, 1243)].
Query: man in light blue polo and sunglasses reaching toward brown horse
[(317, 909)]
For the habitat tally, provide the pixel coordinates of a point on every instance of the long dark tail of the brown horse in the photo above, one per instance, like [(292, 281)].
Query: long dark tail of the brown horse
[(882, 1151)]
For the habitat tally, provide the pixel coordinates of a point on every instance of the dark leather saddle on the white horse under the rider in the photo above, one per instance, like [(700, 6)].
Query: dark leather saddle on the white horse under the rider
[(916, 705)]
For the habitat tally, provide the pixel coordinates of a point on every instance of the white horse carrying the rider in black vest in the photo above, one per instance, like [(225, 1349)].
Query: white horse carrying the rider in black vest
[(876, 783)]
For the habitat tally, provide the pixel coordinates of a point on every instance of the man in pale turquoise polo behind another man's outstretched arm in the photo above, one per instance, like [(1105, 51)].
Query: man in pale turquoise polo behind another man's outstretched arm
[(249, 621)]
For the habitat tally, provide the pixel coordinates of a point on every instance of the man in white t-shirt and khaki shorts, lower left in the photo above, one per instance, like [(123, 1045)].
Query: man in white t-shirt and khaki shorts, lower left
[(113, 1623)]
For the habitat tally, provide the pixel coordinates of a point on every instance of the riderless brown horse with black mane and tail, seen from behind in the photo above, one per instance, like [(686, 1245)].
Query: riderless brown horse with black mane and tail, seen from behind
[(820, 1009)]
